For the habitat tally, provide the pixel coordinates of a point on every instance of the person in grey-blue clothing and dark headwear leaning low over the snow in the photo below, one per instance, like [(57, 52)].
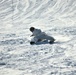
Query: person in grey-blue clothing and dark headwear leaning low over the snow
[(39, 36)]
